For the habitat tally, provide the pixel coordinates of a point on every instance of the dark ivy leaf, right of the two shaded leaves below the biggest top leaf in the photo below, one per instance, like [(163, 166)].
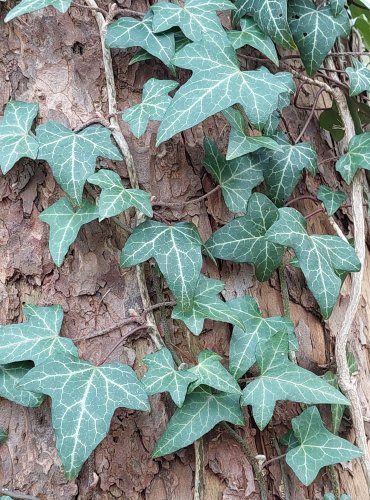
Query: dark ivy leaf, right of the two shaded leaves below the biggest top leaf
[(282, 168)]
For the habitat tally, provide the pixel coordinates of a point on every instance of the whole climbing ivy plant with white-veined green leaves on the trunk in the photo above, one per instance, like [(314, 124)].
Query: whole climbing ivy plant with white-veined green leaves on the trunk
[(257, 175)]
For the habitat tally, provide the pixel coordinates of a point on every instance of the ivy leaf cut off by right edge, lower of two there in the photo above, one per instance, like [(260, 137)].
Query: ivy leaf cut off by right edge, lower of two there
[(358, 156)]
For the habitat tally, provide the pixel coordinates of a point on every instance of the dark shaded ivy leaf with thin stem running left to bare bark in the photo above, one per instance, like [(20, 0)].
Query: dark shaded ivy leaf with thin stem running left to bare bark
[(236, 177)]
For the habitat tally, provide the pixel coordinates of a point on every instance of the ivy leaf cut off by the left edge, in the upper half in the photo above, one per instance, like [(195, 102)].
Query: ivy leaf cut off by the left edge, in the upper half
[(16, 142)]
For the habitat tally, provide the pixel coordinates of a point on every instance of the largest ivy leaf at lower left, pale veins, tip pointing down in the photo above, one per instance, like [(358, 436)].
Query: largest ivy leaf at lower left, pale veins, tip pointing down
[(84, 398)]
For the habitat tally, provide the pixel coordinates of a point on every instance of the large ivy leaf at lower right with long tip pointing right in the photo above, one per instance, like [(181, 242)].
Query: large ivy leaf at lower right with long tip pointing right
[(280, 379)]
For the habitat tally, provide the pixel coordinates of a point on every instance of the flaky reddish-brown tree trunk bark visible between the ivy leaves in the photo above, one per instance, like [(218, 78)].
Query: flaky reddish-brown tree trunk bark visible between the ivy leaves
[(55, 59)]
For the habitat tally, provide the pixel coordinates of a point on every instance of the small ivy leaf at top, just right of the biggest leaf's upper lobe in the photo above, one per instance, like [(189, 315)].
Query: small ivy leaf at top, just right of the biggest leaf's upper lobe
[(251, 34)]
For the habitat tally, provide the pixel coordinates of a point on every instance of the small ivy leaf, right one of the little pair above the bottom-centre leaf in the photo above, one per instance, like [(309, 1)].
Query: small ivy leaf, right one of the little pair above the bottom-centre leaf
[(210, 372)]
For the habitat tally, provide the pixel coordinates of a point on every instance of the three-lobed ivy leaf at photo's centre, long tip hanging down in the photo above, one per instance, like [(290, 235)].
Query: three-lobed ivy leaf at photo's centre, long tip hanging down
[(177, 251)]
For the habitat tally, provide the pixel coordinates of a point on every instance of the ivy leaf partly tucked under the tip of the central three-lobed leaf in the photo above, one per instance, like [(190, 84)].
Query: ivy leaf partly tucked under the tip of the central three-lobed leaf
[(206, 304)]
